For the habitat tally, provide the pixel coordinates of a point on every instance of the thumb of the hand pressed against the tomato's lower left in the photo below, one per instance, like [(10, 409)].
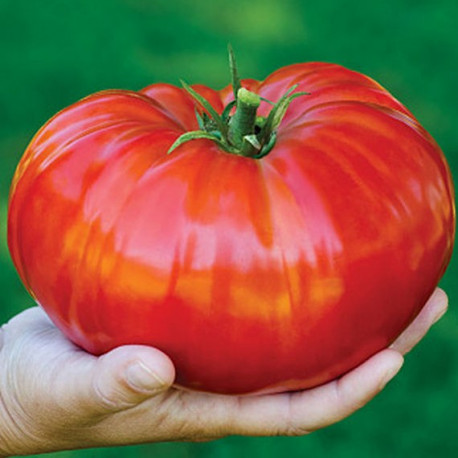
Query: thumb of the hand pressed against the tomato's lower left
[(128, 375)]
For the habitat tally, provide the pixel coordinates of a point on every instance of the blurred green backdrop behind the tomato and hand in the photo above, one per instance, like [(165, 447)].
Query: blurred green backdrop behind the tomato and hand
[(53, 52)]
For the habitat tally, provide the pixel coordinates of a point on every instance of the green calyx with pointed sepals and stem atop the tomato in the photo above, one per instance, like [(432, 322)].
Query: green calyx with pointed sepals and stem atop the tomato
[(242, 133)]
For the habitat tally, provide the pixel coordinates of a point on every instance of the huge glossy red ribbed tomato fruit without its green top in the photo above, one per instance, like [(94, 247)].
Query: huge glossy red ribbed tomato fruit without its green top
[(253, 275)]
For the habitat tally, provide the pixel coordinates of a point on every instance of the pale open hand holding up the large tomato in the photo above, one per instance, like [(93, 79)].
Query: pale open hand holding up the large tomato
[(54, 396)]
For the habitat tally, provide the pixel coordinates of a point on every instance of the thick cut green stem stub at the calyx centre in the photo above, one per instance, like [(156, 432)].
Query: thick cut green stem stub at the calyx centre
[(243, 122)]
